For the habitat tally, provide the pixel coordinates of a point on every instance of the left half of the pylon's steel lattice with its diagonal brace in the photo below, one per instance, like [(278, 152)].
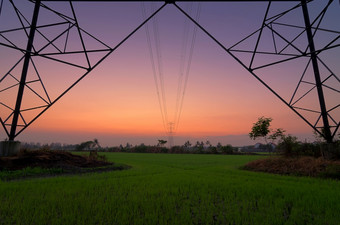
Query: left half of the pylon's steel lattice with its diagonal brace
[(15, 118)]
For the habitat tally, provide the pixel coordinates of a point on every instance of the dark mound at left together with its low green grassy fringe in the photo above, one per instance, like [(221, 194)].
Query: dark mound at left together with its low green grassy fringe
[(44, 162)]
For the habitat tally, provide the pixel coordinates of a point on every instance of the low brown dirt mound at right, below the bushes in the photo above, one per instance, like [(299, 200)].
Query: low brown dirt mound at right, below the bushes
[(299, 166)]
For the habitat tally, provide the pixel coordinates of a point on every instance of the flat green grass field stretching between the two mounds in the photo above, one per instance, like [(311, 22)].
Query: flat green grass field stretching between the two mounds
[(172, 189)]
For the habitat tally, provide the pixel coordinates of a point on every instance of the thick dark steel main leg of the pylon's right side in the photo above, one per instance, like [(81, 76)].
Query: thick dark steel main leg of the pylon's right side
[(326, 132)]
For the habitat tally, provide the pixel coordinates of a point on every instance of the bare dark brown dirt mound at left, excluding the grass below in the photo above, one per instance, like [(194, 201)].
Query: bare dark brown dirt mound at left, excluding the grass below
[(52, 159)]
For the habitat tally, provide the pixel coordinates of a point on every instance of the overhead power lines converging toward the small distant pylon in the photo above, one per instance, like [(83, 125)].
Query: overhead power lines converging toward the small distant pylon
[(155, 54)]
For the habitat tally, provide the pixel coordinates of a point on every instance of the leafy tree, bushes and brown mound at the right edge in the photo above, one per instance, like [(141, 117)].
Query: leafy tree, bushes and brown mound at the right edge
[(317, 159)]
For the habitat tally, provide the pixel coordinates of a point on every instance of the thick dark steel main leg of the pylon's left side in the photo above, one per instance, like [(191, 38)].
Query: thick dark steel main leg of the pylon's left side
[(27, 59)]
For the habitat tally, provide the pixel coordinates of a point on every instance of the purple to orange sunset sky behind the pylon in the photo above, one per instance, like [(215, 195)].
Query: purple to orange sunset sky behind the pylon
[(117, 102)]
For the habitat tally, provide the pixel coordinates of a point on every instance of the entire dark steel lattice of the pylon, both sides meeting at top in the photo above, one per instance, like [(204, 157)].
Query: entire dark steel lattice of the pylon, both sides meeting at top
[(247, 52)]
